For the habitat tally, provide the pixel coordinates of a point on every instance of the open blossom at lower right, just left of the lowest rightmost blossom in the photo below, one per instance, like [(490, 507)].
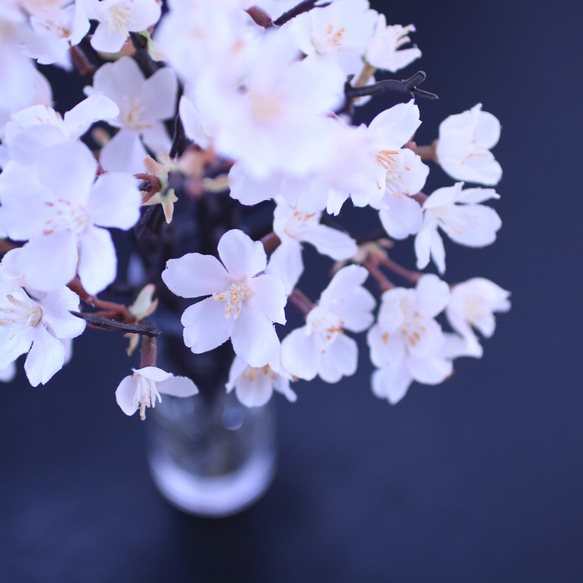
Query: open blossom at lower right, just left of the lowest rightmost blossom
[(406, 342)]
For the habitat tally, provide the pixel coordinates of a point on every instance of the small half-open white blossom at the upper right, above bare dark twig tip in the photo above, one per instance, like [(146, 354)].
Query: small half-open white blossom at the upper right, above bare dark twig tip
[(384, 50)]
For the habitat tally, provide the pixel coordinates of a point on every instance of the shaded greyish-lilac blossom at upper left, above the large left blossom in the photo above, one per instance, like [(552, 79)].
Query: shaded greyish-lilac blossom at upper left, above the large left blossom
[(143, 104)]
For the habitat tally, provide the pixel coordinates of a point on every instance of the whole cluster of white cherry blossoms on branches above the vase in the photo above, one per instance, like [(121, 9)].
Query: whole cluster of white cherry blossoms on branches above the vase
[(254, 100)]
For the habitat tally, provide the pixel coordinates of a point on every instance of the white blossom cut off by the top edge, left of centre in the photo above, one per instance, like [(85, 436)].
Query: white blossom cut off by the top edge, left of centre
[(117, 18)]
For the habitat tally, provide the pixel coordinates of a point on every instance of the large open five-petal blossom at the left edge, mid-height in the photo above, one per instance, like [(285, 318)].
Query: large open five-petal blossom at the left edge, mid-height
[(61, 211)]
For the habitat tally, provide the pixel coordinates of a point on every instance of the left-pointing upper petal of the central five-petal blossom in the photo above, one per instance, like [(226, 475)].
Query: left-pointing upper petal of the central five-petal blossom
[(194, 275)]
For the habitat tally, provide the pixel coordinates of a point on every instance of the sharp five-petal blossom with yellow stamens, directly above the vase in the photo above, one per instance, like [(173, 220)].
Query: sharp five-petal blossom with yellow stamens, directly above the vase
[(243, 303)]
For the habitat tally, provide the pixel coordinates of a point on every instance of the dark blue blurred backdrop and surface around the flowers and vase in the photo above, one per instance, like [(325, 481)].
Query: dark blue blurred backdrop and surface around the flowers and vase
[(478, 479)]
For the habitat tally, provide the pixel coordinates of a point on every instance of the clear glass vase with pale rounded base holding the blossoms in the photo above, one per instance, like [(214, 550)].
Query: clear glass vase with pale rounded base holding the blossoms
[(209, 455)]
